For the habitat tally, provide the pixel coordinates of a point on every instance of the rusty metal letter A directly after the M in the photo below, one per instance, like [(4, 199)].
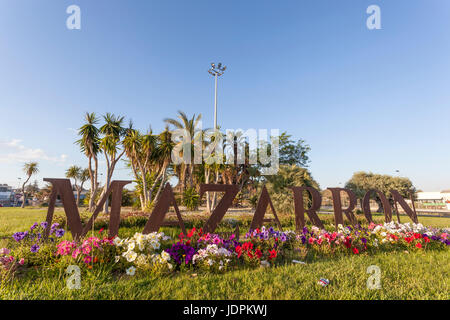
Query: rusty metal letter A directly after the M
[(159, 212)]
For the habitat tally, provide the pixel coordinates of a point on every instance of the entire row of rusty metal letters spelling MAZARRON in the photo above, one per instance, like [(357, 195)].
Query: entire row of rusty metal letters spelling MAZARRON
[(63, 188)]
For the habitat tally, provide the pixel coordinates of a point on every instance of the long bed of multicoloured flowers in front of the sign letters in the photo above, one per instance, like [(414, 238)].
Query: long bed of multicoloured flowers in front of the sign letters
[(156, 253)]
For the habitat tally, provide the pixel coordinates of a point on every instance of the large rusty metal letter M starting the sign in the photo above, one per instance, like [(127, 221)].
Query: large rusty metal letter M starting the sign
[(63, 188)]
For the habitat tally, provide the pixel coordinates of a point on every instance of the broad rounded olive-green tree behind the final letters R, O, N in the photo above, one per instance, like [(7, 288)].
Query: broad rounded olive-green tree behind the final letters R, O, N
[(361, 182)]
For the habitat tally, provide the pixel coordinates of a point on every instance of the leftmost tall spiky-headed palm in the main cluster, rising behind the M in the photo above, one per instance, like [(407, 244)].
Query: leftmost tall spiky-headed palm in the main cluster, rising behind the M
[(90, 146)]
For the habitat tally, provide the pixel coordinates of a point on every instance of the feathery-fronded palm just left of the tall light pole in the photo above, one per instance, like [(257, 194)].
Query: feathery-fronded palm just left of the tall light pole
[(190, 128)]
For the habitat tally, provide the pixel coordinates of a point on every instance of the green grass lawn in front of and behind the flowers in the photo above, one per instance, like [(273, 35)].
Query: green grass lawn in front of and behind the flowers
[(414, 275)]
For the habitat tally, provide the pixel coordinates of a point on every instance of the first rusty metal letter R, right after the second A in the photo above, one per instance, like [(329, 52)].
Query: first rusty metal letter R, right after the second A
[(316, 201)]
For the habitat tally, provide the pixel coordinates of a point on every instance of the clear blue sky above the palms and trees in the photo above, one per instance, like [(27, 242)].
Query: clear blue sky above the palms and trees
[(373, 100)]
